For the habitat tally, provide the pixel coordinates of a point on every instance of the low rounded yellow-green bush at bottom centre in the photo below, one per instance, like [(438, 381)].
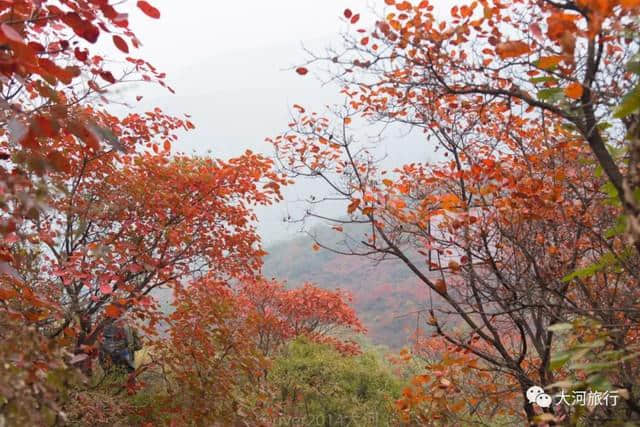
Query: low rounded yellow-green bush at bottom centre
[(318, 386)]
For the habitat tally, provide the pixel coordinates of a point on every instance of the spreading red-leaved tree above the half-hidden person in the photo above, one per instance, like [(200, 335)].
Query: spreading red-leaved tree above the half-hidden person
[(122, 225)]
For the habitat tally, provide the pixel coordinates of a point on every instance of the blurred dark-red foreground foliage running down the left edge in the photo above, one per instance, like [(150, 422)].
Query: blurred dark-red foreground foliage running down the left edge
[(52, 71)]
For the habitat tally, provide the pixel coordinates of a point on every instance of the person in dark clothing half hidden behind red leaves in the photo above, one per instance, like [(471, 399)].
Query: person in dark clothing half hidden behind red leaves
[(119, 344)]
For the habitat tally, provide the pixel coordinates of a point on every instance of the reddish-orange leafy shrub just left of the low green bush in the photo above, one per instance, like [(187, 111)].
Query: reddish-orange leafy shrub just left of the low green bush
[(212, 366)]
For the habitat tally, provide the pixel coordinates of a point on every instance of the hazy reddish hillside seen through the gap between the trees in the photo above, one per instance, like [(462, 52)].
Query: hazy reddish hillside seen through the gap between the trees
[(381, 291)]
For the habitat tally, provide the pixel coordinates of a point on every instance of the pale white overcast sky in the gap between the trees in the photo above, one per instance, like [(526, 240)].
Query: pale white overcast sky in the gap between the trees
[(230, 65)]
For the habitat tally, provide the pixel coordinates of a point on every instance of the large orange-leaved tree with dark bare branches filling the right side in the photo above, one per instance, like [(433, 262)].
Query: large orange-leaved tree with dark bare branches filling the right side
[(519, 97)]
